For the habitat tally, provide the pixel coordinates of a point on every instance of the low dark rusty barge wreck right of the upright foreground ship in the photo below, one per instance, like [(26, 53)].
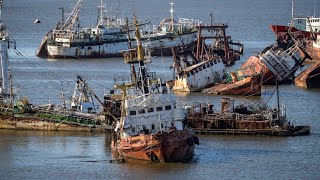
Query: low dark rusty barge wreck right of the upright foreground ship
[(252, 119)]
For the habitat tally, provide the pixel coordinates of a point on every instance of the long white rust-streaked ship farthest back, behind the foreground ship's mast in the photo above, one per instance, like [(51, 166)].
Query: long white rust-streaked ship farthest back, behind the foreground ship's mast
[(111, 36)]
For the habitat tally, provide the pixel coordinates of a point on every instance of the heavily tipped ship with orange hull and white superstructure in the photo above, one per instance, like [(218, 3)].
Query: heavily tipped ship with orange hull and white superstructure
[(277, 64)]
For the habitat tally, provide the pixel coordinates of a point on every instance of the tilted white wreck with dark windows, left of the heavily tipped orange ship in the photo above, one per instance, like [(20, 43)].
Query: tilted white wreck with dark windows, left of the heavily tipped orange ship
[(196, 68)]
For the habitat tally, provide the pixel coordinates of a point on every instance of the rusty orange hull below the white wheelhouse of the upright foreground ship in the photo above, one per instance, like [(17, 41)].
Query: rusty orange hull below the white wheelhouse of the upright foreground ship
[(173, 146)]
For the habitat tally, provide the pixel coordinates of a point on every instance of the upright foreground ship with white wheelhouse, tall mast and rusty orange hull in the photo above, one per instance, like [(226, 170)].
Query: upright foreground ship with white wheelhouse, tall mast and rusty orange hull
[(151, 126)]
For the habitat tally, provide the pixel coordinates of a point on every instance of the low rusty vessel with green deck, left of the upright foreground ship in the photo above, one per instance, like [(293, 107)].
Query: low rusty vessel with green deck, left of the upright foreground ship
[(82, 114)]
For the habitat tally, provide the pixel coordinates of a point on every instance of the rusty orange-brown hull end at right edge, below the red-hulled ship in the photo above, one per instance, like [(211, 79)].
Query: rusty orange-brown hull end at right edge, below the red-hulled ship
[(309, 78)]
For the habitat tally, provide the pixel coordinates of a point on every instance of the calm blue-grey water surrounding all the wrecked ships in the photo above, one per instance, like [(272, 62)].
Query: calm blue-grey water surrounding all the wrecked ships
[(66, 155)]
